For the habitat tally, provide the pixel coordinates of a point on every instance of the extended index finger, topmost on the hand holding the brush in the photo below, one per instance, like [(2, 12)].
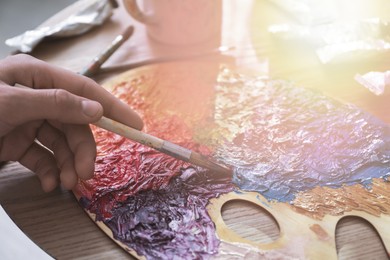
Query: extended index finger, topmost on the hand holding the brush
[(30, 72)]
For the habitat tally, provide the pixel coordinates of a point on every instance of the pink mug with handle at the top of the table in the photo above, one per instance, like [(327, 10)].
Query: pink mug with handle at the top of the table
[(178, 22)]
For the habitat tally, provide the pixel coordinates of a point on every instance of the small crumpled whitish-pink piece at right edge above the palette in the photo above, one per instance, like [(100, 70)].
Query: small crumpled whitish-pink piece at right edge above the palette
[(374, 81)]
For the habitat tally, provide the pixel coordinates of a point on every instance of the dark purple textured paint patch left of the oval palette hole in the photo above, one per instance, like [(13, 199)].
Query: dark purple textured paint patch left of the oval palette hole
[(171, 222)]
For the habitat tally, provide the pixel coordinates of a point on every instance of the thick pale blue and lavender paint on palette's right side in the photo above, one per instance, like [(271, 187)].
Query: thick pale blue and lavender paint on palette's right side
[(290, 139)]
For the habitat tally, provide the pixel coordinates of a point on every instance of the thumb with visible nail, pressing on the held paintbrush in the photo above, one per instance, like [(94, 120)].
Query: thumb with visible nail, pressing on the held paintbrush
[(53, 104)]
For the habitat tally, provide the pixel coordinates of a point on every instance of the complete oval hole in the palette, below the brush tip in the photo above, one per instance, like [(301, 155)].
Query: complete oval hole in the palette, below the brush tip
[(260, 225)]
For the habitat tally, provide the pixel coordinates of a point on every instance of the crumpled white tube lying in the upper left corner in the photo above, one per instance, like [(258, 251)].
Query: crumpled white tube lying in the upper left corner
[(92, 13)]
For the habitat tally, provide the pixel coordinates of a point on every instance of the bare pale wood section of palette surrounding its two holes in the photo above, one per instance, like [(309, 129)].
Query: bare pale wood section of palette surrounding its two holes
[(278, 226)]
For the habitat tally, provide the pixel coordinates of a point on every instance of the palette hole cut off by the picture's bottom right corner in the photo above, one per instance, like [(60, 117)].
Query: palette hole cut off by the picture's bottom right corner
[(353, 233)]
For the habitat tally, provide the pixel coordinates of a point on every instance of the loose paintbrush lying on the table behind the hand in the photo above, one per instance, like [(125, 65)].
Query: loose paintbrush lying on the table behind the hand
[(97, 62)]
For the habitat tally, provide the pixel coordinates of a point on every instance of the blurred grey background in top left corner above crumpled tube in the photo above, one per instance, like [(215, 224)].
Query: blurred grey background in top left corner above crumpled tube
[(18, 16)]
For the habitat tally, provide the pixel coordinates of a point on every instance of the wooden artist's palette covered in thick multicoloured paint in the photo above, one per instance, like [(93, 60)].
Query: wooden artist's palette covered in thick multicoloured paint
[(305, 158)]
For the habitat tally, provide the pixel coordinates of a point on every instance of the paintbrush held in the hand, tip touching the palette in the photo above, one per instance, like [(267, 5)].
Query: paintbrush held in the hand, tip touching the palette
[(163, 146)]
